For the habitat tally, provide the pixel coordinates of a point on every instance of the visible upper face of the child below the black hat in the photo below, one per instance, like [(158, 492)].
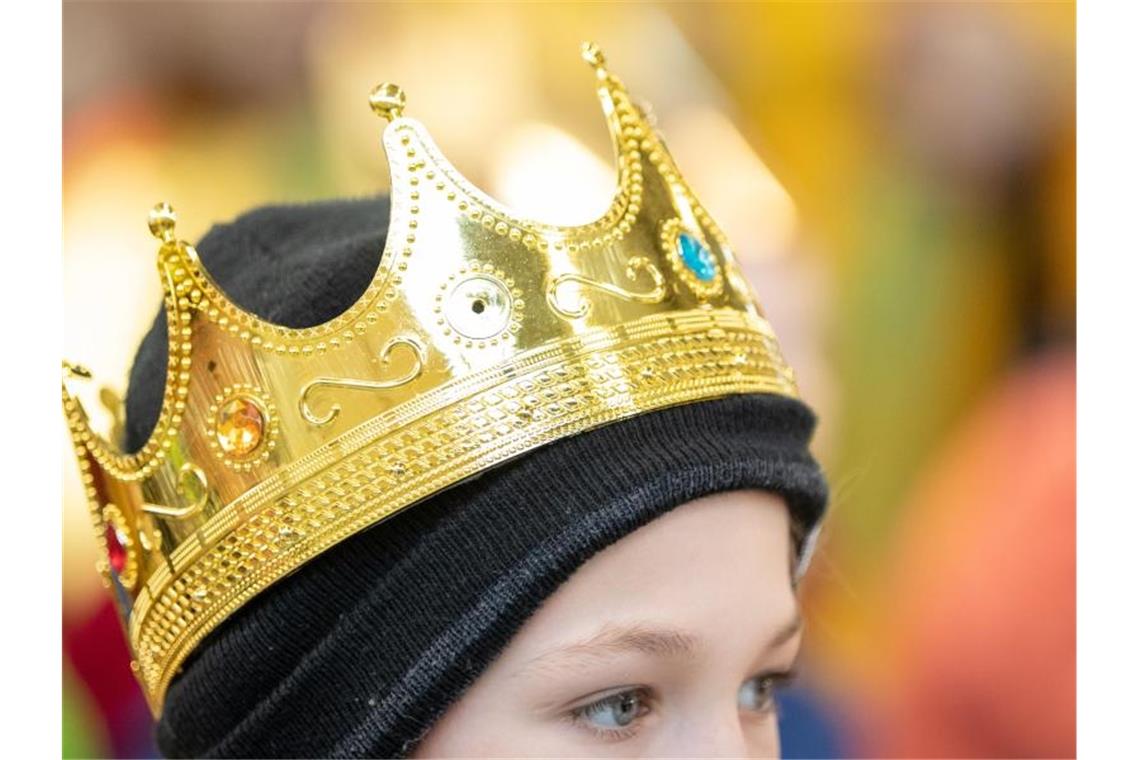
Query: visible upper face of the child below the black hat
[(670, 642)]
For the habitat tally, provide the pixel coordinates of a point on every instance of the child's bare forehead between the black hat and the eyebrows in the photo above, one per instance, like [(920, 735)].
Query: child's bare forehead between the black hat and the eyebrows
[(723, 558)]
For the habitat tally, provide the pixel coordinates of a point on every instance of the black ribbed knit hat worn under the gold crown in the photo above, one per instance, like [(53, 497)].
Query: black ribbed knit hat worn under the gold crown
[(363, 649)]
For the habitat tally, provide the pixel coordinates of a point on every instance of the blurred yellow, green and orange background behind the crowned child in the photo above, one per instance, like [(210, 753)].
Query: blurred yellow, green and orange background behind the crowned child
[(900, 181)]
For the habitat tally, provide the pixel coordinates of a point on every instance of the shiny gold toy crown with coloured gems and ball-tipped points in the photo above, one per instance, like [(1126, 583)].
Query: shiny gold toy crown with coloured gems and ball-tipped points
[(482, 337)]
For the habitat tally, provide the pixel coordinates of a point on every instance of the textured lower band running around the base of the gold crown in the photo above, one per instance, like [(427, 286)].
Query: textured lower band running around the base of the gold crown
[(284, 522)]
